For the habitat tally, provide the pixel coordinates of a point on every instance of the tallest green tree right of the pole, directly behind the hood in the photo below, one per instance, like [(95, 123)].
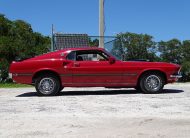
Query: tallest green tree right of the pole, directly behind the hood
[(138, 46)]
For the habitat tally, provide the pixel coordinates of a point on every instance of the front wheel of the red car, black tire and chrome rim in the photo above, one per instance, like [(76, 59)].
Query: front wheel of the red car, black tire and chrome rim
[(152, 83)]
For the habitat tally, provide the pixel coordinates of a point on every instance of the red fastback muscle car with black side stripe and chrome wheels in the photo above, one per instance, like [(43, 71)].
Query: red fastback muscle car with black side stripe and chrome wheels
[(91, 67)]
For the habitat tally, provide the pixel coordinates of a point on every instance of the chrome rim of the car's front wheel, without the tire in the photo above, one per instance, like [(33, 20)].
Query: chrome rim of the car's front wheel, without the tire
[(153, 83)]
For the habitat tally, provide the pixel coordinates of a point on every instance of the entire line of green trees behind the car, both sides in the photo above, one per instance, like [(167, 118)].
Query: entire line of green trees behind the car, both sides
[(18, 40)]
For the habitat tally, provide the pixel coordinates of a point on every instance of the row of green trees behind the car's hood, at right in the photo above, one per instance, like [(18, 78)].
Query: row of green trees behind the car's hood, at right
[(143, 46)]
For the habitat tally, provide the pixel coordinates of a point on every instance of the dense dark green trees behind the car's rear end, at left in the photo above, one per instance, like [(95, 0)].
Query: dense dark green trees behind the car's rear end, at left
[(18, 40)]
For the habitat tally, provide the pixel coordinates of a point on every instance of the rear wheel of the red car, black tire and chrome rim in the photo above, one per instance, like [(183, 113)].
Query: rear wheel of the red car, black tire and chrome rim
[(47, 85)]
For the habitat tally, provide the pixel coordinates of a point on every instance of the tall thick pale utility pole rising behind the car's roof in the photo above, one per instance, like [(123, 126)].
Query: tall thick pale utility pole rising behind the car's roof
[(101, 23)]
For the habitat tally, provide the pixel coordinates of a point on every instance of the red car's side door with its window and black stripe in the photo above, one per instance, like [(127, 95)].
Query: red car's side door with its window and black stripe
[(101, 72)]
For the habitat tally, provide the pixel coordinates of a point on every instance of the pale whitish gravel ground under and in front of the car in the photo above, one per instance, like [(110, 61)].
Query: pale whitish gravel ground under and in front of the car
[(96, 113)]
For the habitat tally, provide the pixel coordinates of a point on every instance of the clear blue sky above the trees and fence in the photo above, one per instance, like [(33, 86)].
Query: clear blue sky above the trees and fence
[(163, 19)]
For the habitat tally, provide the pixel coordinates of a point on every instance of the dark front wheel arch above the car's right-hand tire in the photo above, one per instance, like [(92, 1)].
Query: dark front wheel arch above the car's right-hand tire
[(162, 73)]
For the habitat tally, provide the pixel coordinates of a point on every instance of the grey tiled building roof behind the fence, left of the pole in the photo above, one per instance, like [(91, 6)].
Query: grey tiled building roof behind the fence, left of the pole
[(61, 41)]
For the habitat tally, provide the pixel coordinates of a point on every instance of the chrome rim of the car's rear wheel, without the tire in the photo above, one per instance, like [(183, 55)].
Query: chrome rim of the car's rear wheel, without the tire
[(46, 86)]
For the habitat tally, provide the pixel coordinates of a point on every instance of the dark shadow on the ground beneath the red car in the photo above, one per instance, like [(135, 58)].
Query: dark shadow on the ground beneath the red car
[(100, 92)]
